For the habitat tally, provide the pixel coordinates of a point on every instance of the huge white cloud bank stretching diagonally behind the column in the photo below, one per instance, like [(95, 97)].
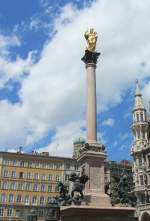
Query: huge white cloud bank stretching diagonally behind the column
[(53, 95)]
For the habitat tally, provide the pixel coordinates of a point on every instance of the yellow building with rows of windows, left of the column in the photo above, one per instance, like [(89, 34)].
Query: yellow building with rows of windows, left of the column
[(28, 181)]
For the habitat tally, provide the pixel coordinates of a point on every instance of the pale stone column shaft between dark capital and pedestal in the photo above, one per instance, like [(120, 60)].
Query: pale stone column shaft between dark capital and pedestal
[(91, 103)]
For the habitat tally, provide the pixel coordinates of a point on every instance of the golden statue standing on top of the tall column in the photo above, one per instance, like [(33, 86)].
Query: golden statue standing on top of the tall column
[(91, 38)]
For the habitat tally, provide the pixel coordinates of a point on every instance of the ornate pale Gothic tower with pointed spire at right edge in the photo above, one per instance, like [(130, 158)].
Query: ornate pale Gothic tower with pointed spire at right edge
[(140, 152)]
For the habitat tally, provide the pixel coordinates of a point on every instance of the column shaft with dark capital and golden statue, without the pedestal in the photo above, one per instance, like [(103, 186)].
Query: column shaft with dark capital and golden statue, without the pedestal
[(90, 60)]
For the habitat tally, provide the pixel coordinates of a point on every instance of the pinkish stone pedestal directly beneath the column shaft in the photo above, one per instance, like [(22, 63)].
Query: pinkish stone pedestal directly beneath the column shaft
[(92, 163)]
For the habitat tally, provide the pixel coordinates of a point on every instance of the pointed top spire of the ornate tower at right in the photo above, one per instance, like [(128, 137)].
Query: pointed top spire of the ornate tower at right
[(138, 97)]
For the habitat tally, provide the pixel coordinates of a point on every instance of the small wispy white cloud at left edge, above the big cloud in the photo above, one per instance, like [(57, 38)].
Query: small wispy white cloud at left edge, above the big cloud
[(12, 69)]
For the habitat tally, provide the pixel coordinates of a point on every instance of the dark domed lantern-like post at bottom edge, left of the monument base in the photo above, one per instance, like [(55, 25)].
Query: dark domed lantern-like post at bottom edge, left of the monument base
[(52, 212)]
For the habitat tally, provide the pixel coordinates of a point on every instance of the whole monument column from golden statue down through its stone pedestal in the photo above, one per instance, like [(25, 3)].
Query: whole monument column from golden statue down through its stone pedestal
[(92, 154)]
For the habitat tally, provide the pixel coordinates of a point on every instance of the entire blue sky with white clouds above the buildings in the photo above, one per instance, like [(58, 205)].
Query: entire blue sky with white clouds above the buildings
[(43, 81)]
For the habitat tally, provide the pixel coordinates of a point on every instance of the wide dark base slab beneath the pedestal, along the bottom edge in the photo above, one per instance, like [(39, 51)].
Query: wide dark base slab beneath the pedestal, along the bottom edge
[(83, 213)]
